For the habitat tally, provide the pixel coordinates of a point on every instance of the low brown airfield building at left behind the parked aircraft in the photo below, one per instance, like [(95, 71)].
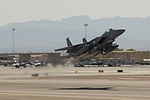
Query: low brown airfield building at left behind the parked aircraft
[(53, 58)]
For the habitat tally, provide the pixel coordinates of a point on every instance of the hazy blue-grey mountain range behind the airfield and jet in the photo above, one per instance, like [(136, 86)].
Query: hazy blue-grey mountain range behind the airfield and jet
[(47, 35)]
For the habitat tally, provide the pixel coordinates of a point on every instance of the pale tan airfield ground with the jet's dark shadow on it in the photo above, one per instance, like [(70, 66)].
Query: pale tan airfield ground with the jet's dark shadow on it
[(69, 83)]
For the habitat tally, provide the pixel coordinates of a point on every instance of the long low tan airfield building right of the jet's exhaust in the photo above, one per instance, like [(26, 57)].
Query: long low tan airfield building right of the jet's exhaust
[(128, 57)]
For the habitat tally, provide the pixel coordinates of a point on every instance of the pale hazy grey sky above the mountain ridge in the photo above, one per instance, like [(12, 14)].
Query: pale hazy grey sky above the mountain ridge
[(26, 10)]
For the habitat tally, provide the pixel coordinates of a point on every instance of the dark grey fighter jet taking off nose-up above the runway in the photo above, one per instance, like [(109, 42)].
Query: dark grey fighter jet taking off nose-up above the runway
[(103, 44)]
